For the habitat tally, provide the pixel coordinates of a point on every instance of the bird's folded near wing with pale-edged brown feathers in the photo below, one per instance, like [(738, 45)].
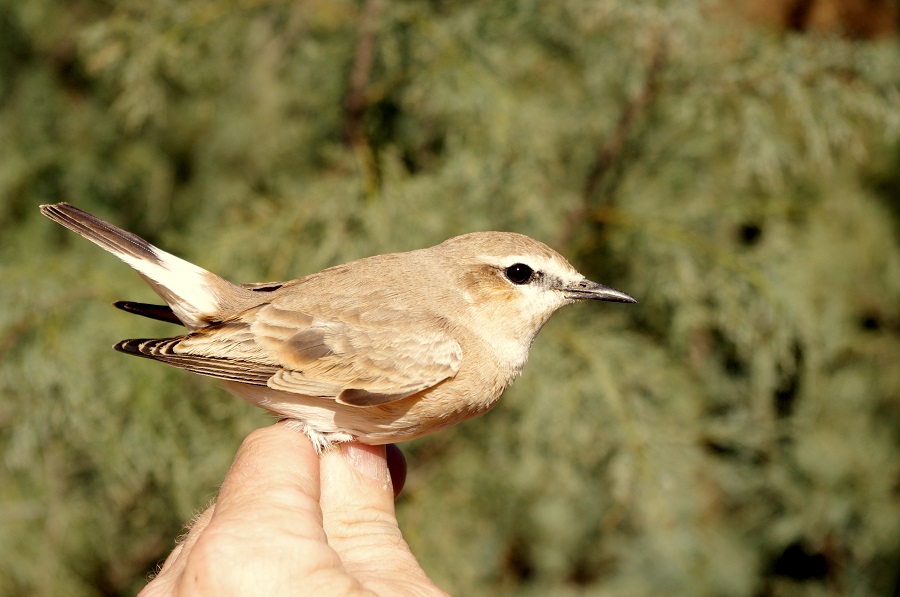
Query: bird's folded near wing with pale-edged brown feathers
[(354, 363)]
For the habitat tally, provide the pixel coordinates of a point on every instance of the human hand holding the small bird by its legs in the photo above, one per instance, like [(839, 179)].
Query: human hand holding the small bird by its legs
[(289, 522)]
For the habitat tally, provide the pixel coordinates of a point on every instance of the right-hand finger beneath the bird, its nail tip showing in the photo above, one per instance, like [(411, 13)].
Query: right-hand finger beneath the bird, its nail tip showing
[(357, 502)]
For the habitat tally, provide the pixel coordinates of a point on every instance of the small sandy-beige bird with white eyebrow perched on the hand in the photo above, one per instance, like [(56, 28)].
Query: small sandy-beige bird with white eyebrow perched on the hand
[(379, 350)]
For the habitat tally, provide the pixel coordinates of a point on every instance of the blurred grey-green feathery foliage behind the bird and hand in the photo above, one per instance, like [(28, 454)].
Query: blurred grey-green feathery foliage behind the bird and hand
[(736, 433)]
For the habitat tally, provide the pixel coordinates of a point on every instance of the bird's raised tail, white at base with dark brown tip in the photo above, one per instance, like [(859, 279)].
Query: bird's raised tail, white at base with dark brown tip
[(193, 294)]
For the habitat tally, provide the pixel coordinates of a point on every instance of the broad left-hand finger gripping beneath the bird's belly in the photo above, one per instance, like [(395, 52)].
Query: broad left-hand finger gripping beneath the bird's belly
[(265, 535)]
